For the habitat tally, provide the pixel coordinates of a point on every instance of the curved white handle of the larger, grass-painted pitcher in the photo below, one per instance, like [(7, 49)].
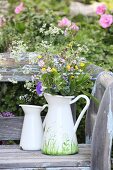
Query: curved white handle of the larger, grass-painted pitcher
[(83, 111)]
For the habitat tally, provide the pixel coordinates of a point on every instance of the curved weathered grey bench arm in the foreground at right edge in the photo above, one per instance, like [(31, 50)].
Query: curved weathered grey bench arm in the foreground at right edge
[(103, 133)]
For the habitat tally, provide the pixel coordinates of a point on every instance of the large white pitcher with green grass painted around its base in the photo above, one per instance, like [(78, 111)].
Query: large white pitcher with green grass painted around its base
[(59, 129)]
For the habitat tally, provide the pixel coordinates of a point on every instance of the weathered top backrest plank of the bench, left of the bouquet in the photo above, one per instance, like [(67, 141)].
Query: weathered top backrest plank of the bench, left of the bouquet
[(10, 69)]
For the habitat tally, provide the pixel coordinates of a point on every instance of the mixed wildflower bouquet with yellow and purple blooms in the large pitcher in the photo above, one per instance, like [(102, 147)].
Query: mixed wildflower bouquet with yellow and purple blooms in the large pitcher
[(62, 74)]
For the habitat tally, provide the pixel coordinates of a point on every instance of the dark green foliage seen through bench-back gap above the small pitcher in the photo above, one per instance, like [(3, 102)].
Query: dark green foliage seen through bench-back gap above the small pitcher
[(10, 98)]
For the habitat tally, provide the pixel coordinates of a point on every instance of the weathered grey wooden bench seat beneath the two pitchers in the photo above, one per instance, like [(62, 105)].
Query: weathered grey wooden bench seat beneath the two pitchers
[(16, 158)]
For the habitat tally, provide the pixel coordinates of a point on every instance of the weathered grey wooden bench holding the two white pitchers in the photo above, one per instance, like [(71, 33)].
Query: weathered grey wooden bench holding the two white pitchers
[(93, 155)]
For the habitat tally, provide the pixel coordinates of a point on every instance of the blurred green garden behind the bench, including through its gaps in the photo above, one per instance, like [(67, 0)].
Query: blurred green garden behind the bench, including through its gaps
[(24, 23)]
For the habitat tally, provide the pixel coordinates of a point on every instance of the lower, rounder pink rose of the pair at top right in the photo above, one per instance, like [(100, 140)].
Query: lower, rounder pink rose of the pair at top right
[(106, 20)]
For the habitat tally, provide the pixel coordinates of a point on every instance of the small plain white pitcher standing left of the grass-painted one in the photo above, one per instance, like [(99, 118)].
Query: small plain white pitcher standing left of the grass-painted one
[(32, 131)]
